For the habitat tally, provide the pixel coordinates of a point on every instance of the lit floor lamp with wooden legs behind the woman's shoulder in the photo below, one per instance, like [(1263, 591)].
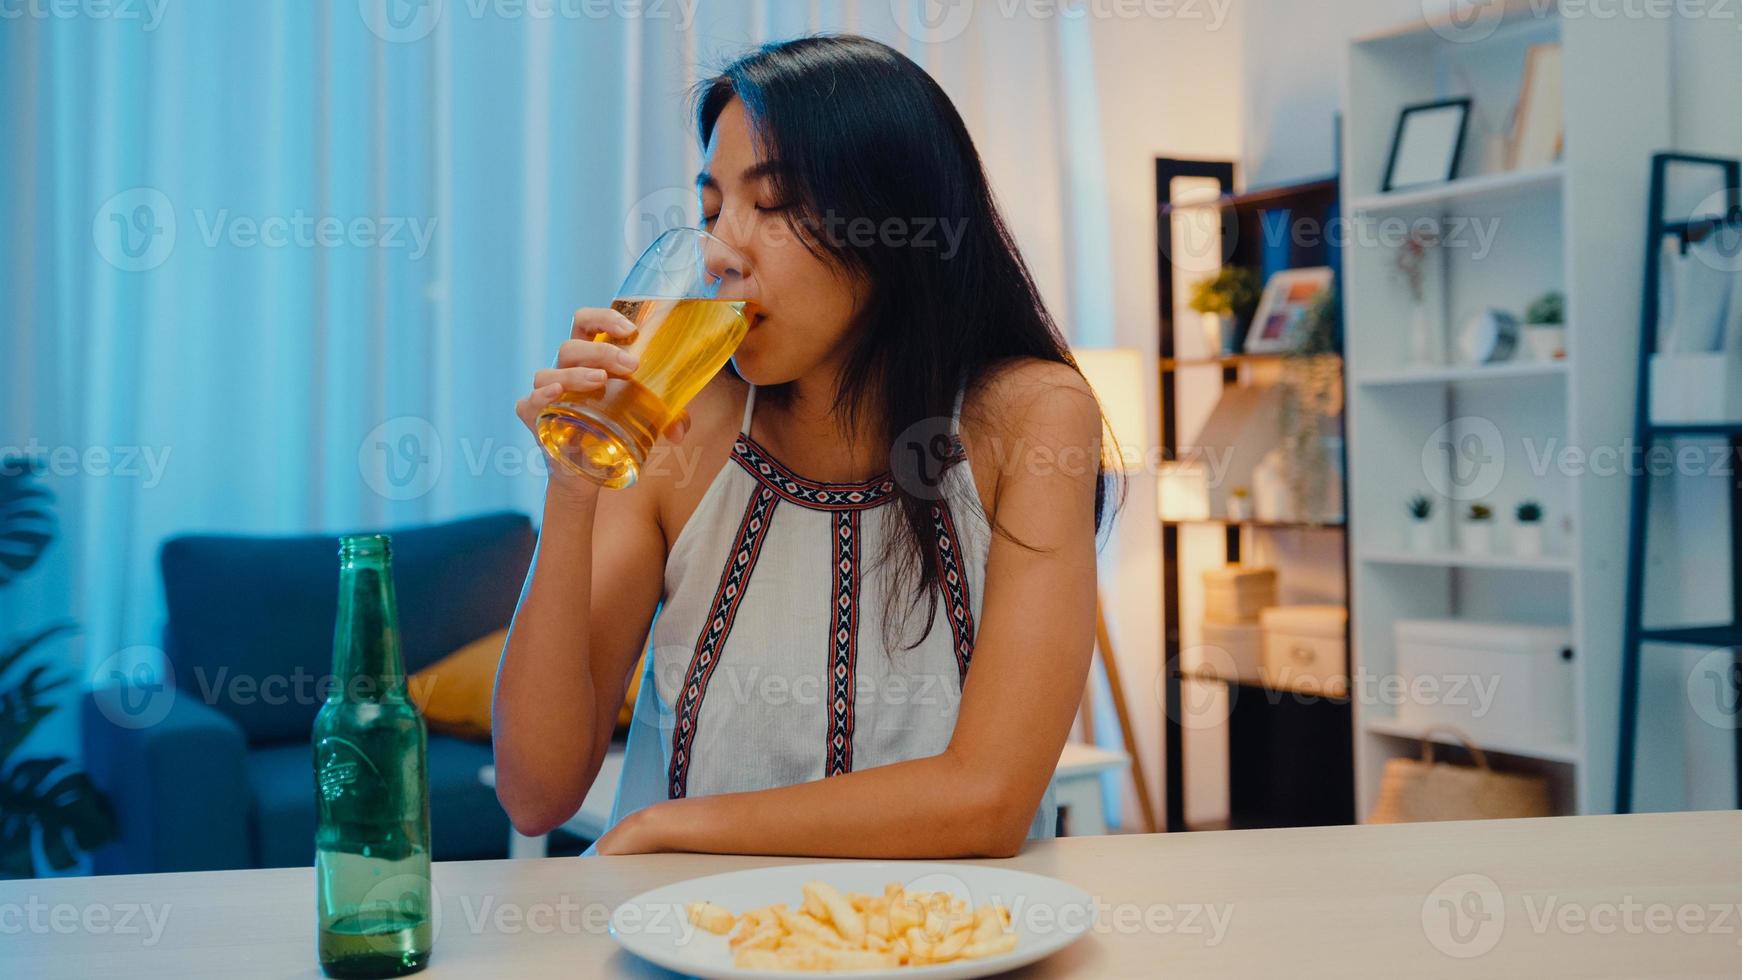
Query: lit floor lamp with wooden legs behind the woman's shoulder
[(1117, 380)]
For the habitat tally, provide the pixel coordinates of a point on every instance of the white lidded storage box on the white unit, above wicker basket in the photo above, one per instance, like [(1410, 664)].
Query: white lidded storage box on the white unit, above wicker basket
[(1501, 683)]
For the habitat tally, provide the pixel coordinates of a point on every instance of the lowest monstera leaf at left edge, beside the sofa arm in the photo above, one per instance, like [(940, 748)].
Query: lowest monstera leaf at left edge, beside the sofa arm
[(62, 803)]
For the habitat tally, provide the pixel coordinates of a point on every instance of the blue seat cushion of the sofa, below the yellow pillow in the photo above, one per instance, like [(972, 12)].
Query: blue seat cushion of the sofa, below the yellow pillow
[(466, 819)]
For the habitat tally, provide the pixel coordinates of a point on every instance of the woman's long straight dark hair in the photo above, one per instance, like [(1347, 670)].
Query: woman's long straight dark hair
[(863, 133)]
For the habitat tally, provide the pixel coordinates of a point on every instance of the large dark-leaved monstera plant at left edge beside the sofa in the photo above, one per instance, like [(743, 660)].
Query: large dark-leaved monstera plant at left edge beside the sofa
[(50, 810)]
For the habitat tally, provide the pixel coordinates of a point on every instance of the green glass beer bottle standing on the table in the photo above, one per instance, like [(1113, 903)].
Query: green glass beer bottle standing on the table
[(372, 786)]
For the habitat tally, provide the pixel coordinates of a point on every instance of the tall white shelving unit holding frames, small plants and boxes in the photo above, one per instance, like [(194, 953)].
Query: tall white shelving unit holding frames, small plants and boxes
[(1504, 433)]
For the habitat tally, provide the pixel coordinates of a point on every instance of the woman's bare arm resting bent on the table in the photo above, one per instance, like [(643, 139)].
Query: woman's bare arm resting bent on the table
[(1030, 662)]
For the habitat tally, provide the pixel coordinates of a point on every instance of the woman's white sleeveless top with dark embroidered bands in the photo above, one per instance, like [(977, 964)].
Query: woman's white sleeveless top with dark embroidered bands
[(767, 661)]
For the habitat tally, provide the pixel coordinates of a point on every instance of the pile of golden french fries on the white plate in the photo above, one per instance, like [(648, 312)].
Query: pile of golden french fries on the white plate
[(860, 932)]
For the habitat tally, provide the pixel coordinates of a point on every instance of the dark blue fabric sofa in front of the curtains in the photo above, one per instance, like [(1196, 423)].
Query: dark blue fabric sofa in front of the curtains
[(224, 779)]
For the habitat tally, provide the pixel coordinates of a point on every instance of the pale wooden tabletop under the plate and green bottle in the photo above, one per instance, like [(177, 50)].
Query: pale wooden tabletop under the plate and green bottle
[(1570, 897)]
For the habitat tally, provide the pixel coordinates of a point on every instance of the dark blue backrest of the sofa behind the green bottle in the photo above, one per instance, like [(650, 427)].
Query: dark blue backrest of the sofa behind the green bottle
[(250, 628)]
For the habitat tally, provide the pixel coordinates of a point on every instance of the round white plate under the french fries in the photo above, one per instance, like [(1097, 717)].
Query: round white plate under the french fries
[(1046, 913)]
